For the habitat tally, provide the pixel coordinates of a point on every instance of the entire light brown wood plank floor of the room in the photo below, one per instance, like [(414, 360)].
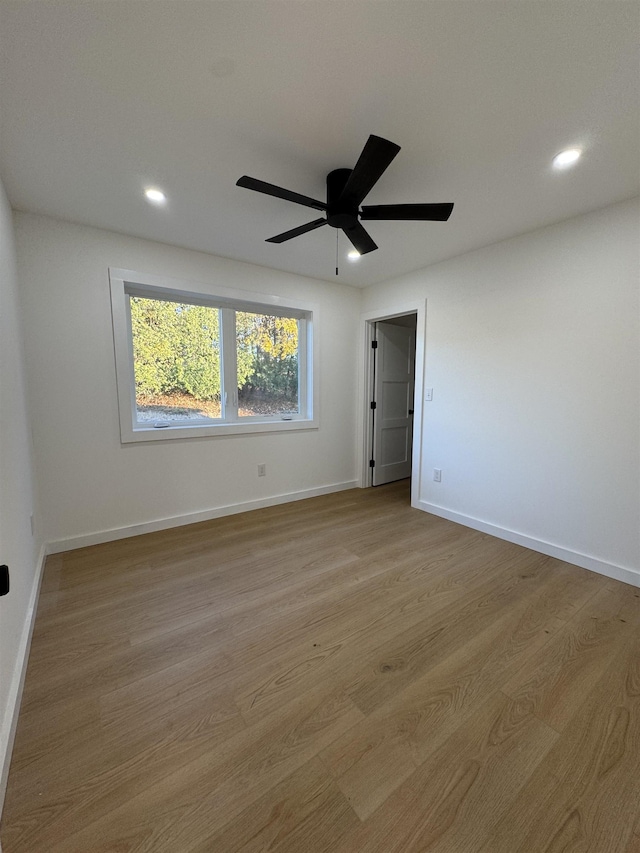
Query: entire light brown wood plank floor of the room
[(343, 674)]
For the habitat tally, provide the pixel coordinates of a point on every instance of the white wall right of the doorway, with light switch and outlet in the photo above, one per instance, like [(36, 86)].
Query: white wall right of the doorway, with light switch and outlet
[(533, 351)]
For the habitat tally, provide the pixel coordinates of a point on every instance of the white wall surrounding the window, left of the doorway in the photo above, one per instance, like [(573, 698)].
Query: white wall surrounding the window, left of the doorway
[(89, 482)]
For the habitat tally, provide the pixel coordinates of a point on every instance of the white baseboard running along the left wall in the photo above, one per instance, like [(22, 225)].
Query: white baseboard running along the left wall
[(10, 722)]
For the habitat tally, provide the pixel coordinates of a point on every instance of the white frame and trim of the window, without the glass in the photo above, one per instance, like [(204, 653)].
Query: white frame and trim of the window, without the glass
[(125, 283)]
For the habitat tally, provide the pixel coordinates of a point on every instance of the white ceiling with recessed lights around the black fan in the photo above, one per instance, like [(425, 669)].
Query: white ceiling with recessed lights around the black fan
[(100, 99)]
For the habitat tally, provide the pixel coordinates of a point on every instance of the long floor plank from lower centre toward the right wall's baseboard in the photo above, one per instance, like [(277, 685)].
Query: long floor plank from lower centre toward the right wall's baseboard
[(371, 762)]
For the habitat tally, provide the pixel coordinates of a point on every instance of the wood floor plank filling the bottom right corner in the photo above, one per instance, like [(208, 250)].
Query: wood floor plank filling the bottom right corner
[(585, 796)]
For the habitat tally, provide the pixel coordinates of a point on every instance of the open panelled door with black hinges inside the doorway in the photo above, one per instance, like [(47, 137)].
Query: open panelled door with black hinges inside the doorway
[(394, 374)]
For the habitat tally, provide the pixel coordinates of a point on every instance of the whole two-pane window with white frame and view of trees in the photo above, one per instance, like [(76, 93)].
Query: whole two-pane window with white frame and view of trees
[(191, 363)]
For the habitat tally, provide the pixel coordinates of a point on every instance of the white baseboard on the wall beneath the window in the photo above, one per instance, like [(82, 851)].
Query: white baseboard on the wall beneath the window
[(101, 536)]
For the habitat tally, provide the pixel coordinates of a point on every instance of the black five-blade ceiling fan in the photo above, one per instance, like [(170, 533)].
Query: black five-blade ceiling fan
[(346, 189)]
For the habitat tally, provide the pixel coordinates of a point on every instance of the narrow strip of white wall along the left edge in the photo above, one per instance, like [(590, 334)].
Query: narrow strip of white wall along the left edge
[(18, 548)]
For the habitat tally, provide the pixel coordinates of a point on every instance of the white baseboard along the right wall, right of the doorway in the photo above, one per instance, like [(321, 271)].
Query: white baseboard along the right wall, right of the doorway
[(593, 564)]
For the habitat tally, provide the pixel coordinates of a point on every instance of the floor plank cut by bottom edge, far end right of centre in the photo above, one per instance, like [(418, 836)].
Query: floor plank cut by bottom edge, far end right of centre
[(459, 793)]
